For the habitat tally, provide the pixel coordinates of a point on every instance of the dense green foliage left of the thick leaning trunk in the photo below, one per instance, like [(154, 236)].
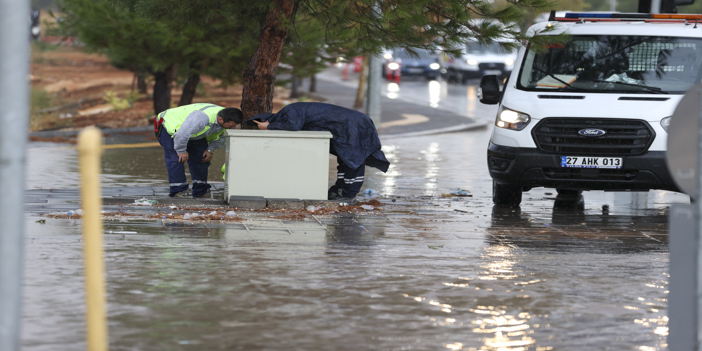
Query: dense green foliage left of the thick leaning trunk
[(209, 37)]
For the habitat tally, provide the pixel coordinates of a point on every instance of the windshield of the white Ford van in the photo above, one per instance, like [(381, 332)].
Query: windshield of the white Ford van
[(615, 63)]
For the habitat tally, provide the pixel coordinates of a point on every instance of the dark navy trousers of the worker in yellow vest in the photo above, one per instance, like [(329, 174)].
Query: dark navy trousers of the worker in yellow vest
[(176, 170)]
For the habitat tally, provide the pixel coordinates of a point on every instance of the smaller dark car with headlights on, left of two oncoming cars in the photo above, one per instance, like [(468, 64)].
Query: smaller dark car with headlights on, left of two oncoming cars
[(424, 64)]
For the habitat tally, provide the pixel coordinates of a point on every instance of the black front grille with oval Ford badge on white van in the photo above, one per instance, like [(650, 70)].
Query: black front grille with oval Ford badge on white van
[(624, 137)]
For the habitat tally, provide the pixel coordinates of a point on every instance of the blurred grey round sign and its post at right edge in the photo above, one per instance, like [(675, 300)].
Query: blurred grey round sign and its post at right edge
[(684, 161)]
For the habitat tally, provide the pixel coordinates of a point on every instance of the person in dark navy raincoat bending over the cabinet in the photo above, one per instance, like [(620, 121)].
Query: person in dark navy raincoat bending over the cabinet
[(354, 140)]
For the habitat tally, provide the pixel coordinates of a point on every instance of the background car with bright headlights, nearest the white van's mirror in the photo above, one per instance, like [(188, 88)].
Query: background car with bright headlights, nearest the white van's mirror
[(478, 60)]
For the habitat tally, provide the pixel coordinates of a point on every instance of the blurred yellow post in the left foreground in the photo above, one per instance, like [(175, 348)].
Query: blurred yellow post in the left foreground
[(90, 150)]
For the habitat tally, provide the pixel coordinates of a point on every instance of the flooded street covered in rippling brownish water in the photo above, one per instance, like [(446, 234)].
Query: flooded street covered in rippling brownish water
[(427, 270)]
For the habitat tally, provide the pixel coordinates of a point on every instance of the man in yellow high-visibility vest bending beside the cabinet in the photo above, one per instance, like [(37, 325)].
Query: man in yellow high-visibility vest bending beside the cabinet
[(191, 133)]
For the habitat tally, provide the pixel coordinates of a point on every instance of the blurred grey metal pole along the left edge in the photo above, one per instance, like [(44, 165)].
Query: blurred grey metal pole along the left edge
[(14, 112)]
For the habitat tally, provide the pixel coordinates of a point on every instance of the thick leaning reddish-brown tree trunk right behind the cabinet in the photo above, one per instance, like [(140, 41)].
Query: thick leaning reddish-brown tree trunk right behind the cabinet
[(259, 75)]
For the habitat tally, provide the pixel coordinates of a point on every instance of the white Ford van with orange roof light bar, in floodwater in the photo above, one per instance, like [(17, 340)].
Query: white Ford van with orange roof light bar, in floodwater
[(592, 113)]
